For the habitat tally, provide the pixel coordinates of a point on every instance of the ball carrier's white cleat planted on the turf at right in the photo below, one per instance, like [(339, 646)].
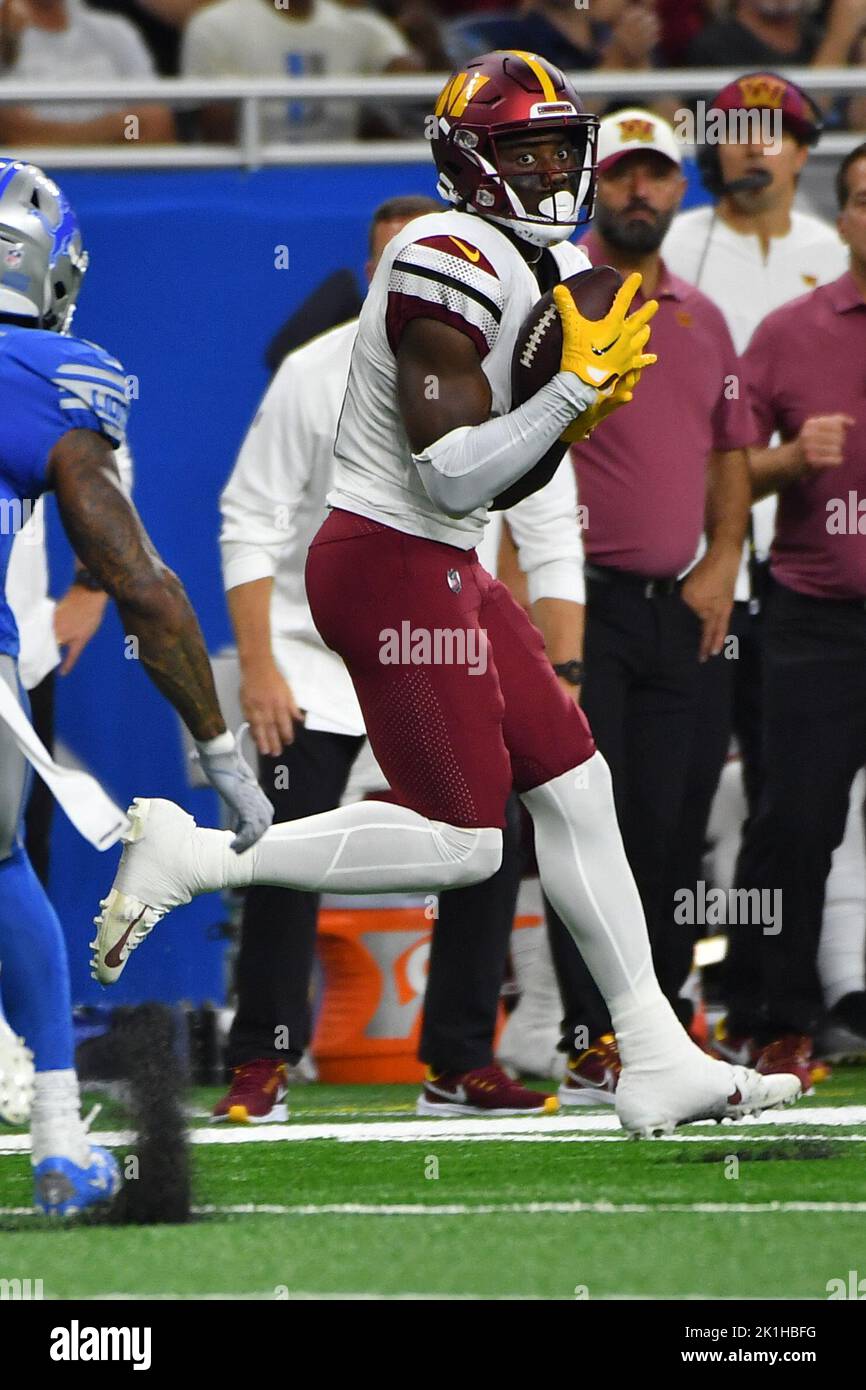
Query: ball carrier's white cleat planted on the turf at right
[(655, 1102)]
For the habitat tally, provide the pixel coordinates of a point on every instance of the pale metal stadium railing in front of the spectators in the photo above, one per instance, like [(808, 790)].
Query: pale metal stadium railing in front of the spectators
[(254, 151)]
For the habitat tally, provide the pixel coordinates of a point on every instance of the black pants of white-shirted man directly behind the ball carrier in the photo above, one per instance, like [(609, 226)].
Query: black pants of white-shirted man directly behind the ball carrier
[(469, 949)]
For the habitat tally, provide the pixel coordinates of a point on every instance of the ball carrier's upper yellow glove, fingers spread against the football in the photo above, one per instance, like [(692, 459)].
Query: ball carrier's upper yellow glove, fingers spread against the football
[(603, 351)]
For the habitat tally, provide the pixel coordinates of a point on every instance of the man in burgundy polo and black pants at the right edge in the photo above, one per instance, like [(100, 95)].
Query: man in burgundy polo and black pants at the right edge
[(807, 372)]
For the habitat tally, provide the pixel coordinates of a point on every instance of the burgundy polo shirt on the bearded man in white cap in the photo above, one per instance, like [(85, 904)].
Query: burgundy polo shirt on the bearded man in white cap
[(643, 473)]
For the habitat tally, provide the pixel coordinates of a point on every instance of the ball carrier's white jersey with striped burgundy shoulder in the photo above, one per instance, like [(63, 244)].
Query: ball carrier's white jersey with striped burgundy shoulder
[(464, 272)]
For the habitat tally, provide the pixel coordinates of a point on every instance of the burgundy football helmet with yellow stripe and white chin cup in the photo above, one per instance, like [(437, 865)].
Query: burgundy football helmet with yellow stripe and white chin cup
[(505, 94)]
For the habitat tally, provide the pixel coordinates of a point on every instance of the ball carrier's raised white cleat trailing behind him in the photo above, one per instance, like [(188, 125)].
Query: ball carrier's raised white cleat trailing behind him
[(152, 878)]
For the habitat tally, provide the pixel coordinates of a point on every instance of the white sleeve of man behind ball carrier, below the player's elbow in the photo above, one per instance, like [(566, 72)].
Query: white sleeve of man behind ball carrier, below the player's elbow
[(548, 537)]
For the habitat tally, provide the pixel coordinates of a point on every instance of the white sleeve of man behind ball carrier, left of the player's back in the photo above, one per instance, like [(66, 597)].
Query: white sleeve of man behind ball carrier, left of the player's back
[(269, 479)]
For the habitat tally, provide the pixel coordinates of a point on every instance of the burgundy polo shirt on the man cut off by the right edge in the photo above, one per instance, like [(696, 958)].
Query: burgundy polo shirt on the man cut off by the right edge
[(810, 359)]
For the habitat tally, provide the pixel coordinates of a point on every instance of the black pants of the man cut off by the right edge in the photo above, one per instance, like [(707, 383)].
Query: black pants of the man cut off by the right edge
[(814, 744)]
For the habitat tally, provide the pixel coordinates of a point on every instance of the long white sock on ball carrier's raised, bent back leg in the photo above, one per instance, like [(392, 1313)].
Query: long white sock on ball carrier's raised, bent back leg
[(369, 847)]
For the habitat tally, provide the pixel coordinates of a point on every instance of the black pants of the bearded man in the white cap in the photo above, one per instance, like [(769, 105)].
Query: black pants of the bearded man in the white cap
[(642, 655)]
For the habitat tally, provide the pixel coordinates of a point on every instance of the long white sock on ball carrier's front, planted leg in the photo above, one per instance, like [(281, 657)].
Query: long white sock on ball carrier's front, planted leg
[(587, 878)]
